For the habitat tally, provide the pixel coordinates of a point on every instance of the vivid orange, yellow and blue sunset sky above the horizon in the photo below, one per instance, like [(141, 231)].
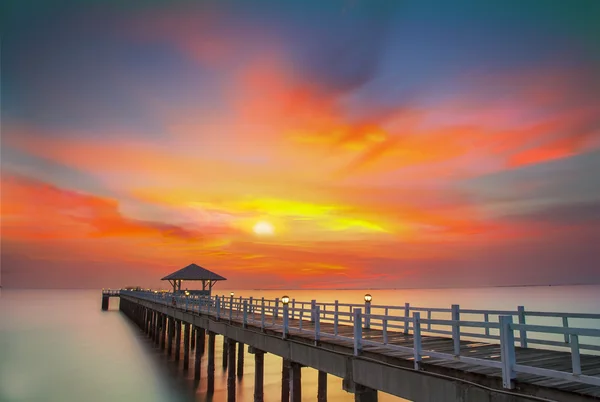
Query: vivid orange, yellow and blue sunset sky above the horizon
[(371, 144)]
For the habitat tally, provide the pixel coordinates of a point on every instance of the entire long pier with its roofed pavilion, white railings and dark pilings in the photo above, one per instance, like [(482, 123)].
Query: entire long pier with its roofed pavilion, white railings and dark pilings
[(419, 353)]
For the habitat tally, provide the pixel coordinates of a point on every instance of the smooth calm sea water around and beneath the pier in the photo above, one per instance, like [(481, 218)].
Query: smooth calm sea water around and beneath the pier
[(59, 345)]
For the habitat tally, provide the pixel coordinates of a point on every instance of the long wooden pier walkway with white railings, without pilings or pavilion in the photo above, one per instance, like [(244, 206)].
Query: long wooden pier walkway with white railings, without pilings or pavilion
[(393, 349)]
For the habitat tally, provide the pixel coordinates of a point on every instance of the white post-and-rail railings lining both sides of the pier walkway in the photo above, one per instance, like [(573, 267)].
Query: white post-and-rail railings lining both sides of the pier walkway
[(492, 326)]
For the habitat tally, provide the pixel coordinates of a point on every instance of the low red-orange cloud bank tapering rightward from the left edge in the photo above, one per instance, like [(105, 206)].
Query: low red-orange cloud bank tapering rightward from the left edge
[(32, 210)]
